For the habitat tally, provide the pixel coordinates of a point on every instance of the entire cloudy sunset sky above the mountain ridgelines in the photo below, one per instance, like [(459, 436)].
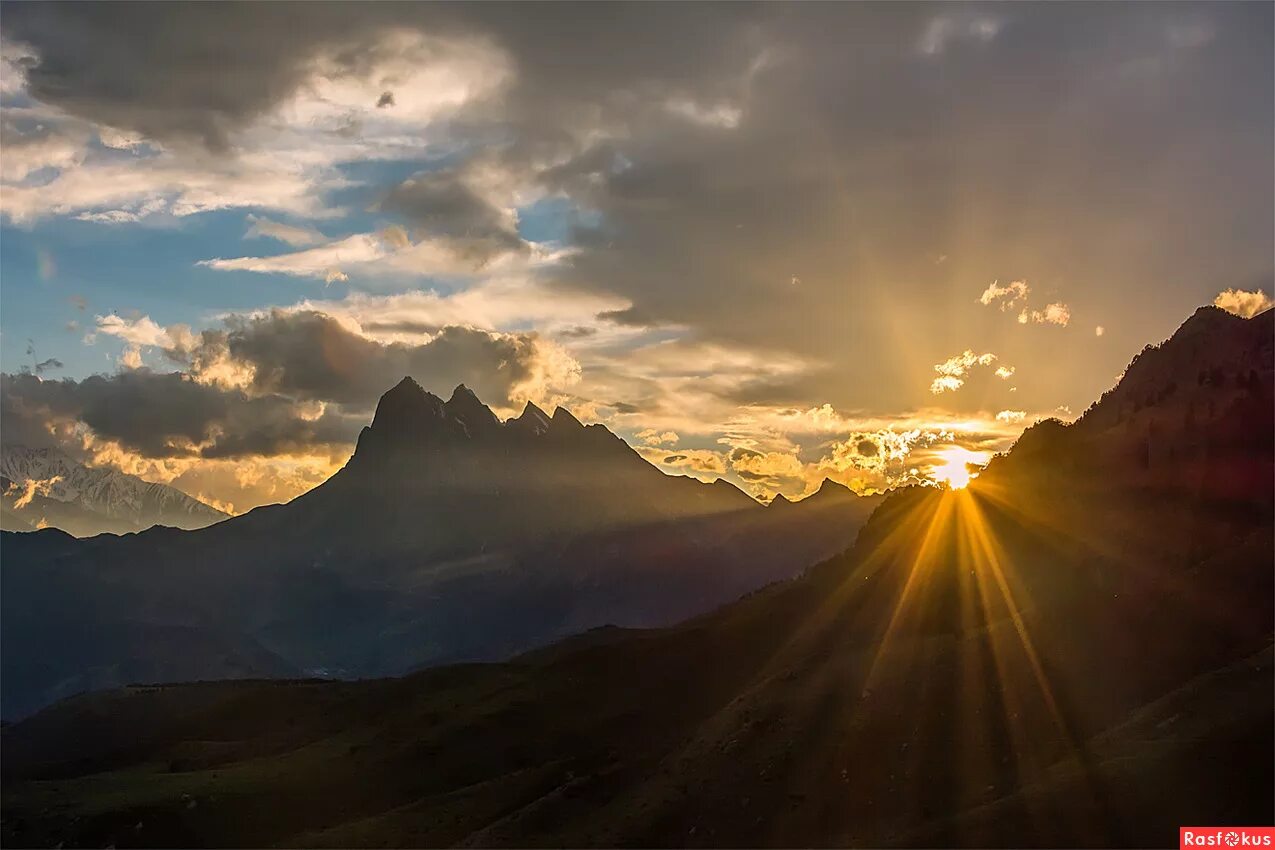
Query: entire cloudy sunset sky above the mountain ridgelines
[(775, 244)]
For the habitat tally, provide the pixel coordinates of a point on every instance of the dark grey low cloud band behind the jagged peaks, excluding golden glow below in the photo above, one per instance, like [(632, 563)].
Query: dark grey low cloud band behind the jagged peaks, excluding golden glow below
[(296, 361)]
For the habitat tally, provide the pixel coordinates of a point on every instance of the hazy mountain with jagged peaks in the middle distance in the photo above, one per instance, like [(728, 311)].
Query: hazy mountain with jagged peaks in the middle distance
[(449, 536)]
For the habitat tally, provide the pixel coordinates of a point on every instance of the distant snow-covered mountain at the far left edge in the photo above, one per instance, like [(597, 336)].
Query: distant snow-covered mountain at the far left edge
[(44, 487)]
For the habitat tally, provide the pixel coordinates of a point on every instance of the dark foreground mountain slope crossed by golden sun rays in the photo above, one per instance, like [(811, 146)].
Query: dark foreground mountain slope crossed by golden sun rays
[(1077, 651)]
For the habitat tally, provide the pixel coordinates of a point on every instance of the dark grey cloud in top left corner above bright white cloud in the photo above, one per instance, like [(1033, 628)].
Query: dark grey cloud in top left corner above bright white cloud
[(175, 75)]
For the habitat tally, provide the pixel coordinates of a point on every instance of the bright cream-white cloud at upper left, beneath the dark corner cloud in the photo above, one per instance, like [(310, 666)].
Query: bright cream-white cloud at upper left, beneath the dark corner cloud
[(271, 136)]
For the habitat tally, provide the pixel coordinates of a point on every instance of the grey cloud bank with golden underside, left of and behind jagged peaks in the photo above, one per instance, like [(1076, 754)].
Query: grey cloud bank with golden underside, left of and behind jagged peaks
[(281, 393)]
